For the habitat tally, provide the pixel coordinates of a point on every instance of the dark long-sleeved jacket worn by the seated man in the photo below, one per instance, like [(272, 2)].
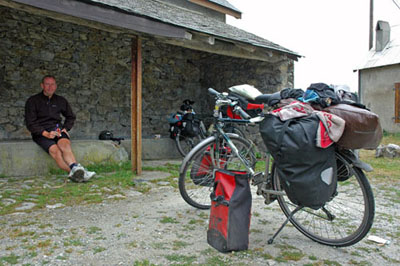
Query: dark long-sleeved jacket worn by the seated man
[(44, 113)]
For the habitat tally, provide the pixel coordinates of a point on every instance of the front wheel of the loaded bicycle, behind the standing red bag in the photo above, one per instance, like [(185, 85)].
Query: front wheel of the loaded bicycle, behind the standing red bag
[(195, 188)]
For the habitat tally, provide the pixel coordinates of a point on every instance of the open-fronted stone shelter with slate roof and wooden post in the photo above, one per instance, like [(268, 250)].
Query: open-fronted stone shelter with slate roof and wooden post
[(108, 55)]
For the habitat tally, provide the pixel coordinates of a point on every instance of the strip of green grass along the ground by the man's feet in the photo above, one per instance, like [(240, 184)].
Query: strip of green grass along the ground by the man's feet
[(119, 177)]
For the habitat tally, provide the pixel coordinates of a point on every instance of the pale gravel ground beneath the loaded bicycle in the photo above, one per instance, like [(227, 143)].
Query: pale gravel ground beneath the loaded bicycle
[(160, 228)]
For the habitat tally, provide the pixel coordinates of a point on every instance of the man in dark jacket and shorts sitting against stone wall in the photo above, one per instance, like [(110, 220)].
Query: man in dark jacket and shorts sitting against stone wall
[(43, 119)]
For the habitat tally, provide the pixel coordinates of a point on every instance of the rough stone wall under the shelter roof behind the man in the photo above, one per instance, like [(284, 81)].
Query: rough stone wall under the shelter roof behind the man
[(93, 69)]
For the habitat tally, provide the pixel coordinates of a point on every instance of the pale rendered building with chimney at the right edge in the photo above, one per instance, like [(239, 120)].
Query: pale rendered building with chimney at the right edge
[(379, 77)]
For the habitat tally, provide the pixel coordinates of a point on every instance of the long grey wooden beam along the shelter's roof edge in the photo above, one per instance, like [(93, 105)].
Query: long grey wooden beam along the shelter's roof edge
[(98, 13)]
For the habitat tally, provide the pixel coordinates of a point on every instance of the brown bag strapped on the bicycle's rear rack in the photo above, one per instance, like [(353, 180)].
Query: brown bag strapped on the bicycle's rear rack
[(362, 129)]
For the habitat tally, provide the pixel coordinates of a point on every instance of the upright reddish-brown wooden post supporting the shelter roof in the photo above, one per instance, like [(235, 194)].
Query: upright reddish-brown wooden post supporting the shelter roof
[(136, 106)]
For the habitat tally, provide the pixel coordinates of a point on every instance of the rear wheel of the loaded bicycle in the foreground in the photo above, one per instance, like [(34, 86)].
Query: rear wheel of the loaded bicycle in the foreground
[(353, 208)]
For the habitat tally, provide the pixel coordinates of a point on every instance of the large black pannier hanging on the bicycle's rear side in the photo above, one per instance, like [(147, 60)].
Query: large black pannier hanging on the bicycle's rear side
[(307, 172)]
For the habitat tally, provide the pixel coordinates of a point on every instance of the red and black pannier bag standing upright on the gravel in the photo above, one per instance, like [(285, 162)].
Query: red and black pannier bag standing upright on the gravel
[(230, 213)]
